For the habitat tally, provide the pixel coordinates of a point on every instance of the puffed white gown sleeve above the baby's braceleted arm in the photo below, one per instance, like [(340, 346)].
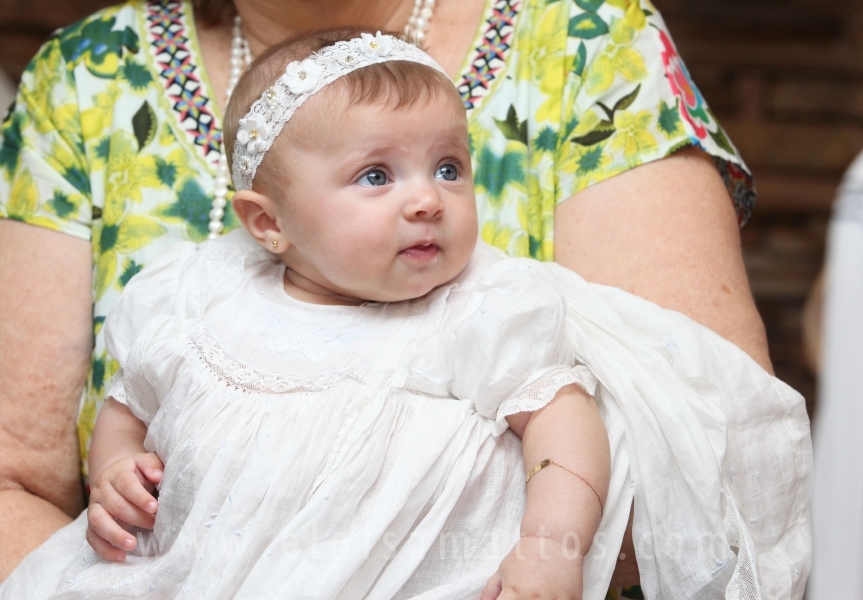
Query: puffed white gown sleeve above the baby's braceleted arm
[(511, 352)]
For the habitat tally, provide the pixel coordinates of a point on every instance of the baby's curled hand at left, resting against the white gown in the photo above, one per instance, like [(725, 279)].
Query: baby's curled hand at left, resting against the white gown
[(122, 492)]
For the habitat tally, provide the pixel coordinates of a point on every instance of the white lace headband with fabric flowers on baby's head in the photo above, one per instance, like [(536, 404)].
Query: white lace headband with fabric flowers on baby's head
[(268, 115)]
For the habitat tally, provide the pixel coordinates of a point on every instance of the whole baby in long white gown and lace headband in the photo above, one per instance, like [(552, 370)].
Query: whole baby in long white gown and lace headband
[(322, 398)]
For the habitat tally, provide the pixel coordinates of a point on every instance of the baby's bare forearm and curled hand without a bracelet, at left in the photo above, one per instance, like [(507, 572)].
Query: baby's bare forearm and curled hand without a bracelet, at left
[(124, 476)]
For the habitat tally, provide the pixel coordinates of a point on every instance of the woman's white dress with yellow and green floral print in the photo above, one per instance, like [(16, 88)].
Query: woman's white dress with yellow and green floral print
[(114, 137)]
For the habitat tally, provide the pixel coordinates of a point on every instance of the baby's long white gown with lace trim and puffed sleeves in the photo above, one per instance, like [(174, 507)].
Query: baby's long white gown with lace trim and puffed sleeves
[(361, 452)]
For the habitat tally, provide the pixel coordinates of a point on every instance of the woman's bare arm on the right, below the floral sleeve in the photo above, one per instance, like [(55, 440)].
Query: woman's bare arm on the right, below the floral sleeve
[(667, 232)]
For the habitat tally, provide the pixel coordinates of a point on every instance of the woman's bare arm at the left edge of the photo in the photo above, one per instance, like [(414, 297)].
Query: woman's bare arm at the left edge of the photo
[(46, 335)]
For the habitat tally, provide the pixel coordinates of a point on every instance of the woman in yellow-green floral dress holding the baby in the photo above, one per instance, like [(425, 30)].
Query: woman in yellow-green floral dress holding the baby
[(591, 147)]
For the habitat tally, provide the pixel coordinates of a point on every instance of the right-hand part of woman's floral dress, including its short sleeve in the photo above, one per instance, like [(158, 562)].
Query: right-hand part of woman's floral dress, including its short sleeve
[(588, 89)]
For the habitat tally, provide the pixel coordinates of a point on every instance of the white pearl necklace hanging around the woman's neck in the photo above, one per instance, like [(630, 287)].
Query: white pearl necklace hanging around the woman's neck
[(241, 57)]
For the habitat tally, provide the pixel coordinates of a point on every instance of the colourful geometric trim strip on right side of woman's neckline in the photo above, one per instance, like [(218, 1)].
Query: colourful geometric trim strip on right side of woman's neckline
[(490, 53)]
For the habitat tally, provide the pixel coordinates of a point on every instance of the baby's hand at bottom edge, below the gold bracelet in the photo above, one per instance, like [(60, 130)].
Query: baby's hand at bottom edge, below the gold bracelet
[(538, 567)]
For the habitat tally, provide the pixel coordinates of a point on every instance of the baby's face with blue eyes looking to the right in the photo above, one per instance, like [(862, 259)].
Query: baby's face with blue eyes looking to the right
[(379, 202)]
